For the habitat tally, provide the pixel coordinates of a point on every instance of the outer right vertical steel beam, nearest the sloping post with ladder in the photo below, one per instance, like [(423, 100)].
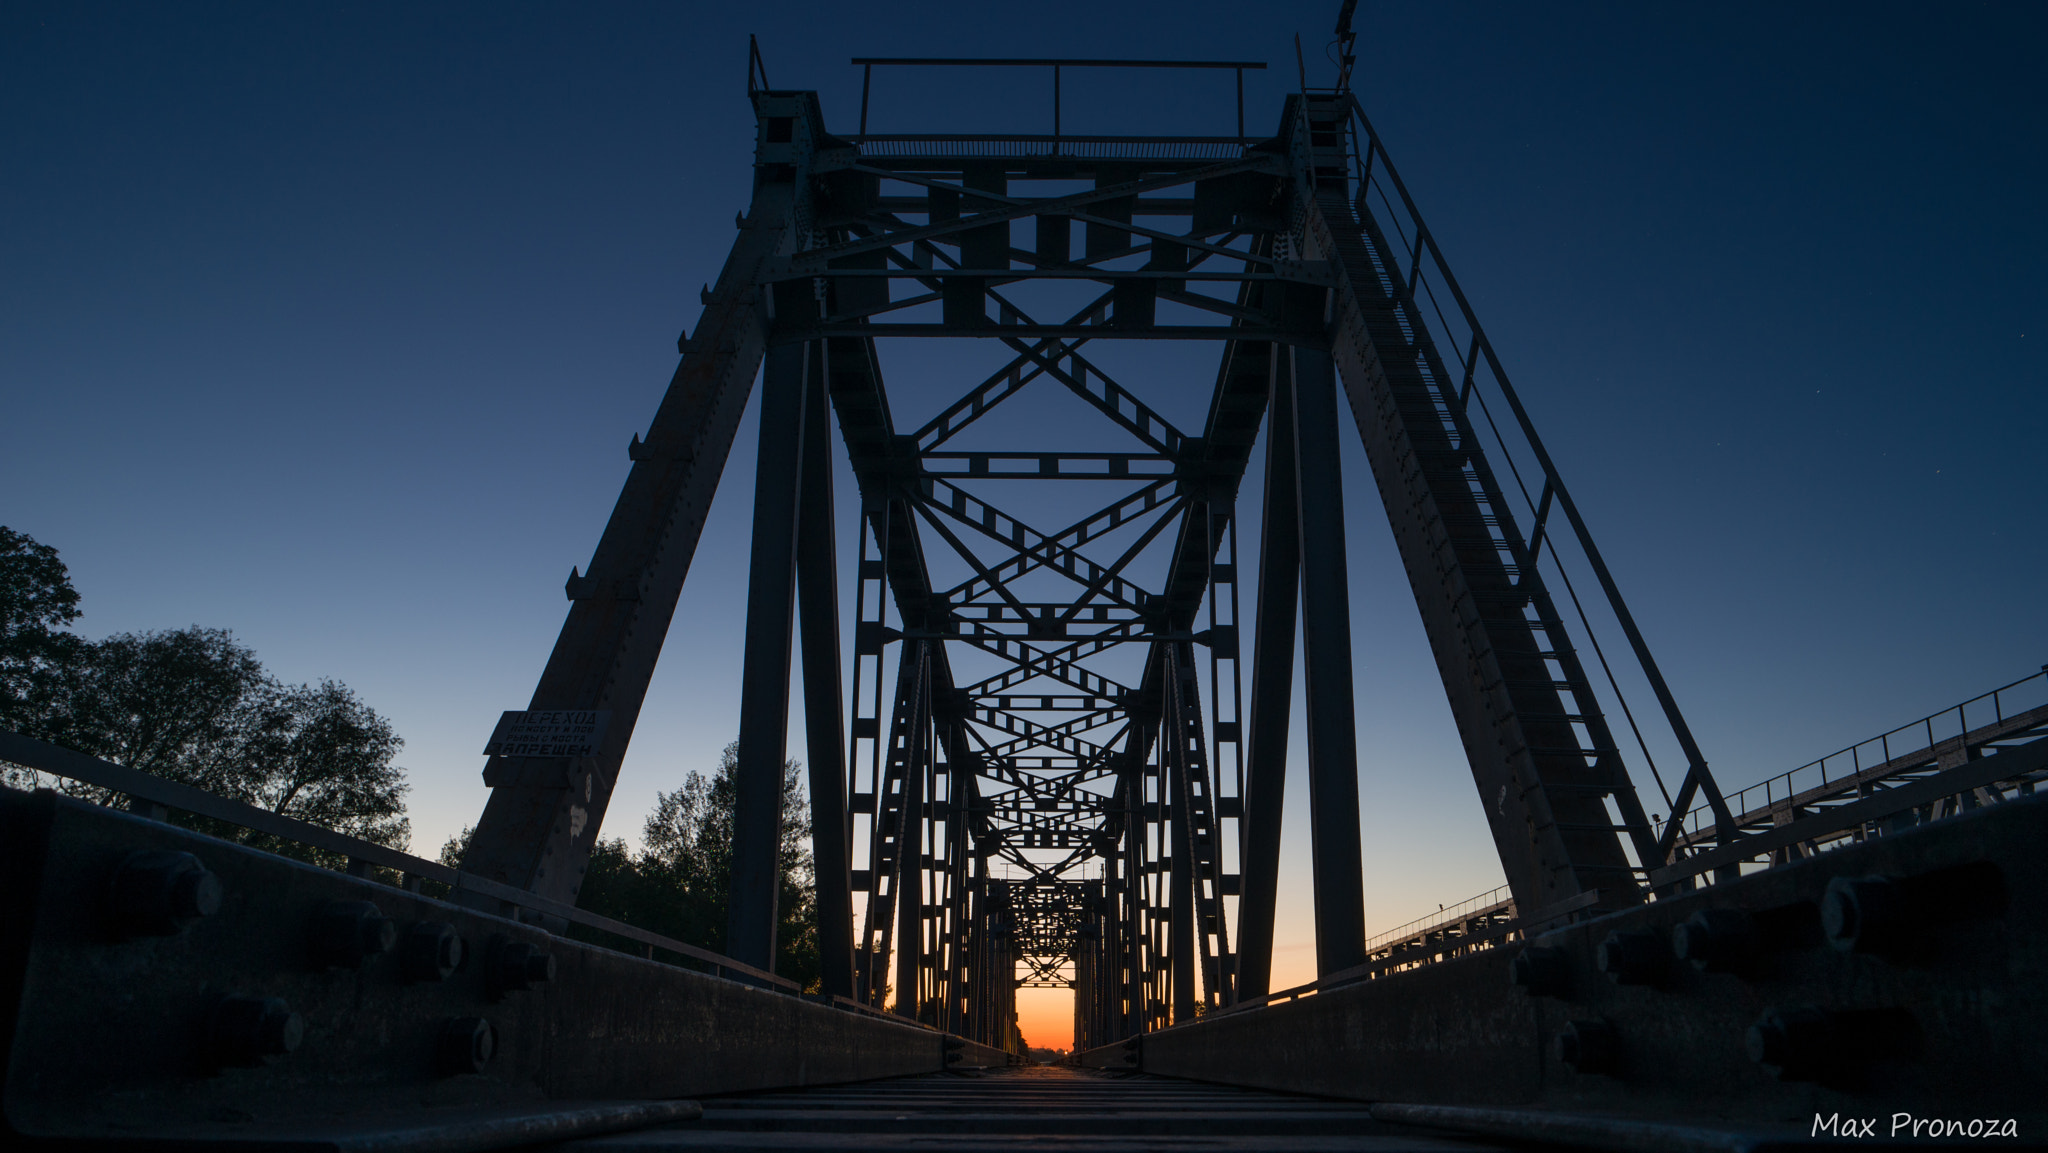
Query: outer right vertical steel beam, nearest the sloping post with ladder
[(1338, 867)]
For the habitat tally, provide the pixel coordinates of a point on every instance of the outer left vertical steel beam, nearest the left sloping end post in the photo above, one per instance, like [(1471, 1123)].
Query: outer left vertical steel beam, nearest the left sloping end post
[(751, 916)]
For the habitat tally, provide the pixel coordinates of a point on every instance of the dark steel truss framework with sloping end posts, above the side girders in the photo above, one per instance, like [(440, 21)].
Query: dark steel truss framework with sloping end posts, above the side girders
[(1052, 769)]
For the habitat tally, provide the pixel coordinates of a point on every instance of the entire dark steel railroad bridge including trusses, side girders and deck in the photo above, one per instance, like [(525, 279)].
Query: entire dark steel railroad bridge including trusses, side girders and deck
[(1056, 749)]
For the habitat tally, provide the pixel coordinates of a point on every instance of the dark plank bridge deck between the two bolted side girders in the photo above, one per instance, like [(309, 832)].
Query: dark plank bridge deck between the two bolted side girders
[(1076, 1111)]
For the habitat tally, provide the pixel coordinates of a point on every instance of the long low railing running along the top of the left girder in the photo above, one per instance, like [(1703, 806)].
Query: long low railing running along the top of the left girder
[(155, 796)]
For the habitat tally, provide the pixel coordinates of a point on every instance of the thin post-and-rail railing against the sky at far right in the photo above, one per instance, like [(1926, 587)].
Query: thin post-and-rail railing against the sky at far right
[(2020, 701)]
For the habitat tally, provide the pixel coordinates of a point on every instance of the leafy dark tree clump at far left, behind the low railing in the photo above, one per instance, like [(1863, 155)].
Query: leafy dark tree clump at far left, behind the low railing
[(191, 706)]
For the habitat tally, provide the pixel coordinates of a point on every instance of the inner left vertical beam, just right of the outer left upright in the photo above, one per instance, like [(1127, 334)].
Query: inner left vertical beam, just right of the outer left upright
[(818, 597)]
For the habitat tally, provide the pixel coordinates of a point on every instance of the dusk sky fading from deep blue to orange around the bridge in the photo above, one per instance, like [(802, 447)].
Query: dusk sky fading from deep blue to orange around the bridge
[(331, 325)]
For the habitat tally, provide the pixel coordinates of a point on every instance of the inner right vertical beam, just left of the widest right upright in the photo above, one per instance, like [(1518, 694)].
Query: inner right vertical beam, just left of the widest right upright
[(1273, 699)]
